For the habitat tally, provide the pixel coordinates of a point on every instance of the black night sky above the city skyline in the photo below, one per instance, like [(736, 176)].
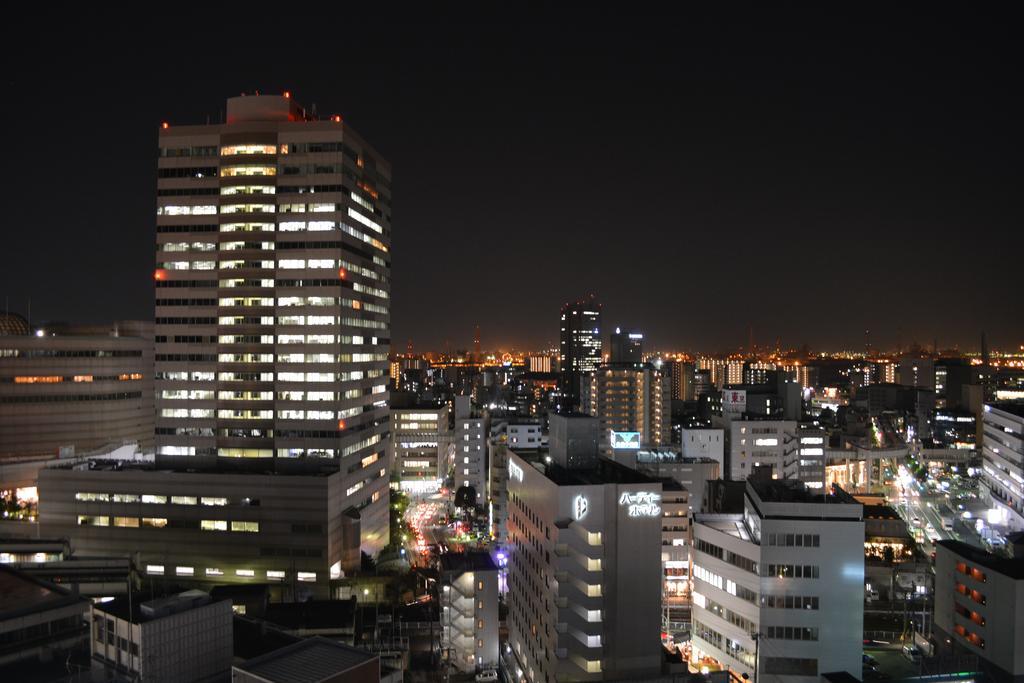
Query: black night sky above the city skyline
[(810, 174)]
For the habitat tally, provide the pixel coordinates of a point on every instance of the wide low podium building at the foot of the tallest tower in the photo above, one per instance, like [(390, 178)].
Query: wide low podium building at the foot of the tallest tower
[(212, 527)]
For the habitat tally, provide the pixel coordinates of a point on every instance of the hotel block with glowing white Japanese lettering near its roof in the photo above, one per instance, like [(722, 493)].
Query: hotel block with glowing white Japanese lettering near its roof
[(585, 572)]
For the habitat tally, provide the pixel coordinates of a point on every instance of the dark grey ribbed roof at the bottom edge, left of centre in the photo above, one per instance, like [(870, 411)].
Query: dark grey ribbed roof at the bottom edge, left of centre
[(309, 661)]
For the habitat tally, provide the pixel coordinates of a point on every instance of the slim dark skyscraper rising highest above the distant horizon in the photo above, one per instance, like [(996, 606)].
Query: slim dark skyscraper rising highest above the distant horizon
[(580, 347)]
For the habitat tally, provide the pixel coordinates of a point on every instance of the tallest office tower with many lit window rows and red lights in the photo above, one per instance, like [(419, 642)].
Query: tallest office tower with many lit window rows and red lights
[(273, 283)]
